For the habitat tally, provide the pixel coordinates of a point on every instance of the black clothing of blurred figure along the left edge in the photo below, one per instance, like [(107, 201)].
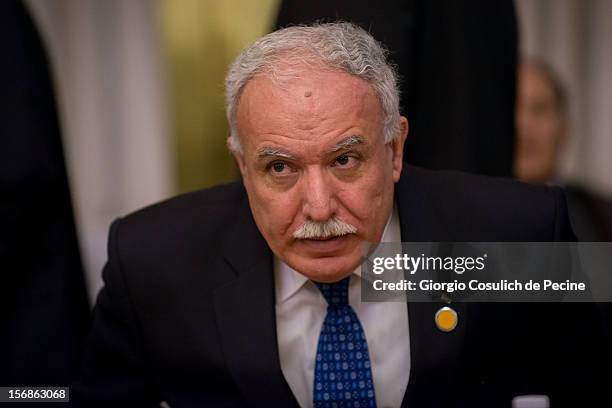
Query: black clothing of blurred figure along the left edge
[(44, 311)]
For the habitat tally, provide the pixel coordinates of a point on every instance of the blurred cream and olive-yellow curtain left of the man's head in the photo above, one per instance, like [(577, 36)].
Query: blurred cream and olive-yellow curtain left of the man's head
[(139, 88)]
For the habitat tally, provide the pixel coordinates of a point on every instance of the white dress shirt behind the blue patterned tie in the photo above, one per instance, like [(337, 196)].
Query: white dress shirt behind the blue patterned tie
[(300, 311)]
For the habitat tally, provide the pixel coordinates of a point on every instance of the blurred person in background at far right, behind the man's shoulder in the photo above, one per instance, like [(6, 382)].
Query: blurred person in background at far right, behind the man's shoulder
[(542, 124)]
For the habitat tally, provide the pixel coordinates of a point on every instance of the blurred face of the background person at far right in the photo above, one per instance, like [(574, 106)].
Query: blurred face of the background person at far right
[(539, 127)]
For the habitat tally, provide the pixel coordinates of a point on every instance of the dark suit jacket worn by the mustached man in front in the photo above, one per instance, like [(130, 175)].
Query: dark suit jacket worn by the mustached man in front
[(187, 313)]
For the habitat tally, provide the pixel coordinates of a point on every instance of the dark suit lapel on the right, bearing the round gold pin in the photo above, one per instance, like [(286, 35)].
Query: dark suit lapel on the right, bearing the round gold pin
[(435, 355)]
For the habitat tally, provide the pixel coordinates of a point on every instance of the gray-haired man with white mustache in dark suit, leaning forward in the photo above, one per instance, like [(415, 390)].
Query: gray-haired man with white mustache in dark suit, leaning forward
[(248, 294)]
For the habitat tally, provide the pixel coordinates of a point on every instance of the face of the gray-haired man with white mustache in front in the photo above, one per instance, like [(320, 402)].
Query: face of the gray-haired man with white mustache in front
[(313, 151)]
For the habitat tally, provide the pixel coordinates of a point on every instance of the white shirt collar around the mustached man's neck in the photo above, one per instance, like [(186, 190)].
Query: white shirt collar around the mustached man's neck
[(288, 281)]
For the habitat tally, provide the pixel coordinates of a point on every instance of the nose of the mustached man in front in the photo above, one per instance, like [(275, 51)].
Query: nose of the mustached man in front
[(319, 201)]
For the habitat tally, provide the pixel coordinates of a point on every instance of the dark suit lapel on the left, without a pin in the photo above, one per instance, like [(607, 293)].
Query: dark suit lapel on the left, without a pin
[(246, 317)]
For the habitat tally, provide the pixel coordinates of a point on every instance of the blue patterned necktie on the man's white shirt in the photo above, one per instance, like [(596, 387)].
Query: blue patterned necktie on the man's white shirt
[(343, 377)]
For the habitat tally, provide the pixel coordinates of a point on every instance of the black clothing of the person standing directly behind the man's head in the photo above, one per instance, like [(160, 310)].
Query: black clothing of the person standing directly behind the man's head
[(457, 63)]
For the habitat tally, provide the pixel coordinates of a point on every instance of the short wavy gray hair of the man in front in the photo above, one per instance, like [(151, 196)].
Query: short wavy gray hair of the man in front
[(342, 46)]
